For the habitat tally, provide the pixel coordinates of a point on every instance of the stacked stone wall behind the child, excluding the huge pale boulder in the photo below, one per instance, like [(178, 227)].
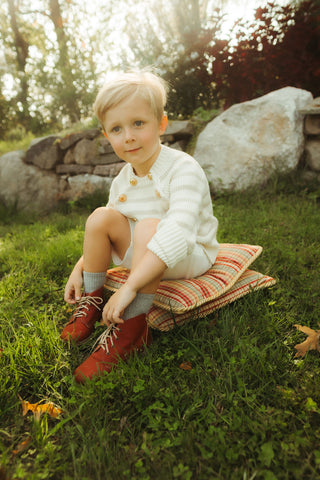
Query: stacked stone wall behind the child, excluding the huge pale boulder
[(66, 168)]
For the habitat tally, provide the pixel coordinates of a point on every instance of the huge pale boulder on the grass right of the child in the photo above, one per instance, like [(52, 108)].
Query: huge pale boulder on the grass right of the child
[(250, 141)]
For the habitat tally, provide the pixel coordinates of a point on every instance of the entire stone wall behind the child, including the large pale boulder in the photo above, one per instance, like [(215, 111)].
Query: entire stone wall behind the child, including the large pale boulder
[(240, 148)]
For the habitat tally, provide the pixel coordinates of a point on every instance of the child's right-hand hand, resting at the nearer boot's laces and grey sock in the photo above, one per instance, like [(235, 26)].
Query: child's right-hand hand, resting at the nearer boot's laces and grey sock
[(116, 305)]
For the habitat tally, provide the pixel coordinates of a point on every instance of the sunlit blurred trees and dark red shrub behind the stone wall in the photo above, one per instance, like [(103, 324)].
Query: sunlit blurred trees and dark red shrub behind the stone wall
[(55, 53)]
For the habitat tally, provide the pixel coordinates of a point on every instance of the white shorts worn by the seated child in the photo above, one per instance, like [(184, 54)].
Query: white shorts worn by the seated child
[(192, 266)]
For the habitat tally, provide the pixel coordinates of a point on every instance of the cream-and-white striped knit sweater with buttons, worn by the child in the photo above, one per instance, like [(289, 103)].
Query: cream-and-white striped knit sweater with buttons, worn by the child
[(176, 191)]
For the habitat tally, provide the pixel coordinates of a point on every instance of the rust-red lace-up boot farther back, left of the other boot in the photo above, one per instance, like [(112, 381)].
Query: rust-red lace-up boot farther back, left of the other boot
[(87, 313)]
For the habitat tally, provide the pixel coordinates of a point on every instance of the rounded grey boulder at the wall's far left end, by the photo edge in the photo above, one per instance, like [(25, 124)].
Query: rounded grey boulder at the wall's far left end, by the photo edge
[(27, 187)]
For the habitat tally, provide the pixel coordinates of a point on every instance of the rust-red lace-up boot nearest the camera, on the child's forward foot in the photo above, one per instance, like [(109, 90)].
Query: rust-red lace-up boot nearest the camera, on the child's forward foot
[(118, 341)]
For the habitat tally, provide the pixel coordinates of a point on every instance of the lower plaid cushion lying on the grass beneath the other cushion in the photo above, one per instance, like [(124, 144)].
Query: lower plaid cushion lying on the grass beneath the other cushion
[(249, 281)]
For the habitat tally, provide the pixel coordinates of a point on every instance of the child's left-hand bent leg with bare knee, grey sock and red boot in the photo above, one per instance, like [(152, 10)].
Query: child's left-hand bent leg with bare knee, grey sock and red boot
[(106, 229)]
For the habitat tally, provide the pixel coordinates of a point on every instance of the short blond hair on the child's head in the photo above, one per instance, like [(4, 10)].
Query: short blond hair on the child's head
[(122, 86)]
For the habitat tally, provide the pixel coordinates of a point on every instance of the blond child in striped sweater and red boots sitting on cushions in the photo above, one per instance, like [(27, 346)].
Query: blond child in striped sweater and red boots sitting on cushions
[(158, 223)]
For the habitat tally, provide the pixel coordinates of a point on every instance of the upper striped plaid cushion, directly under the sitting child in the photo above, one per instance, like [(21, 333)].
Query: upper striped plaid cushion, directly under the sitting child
[(179, 296)]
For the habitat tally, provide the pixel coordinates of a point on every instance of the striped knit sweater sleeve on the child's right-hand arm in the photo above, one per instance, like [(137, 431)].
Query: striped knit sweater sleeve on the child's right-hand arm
[(176, 234)]
